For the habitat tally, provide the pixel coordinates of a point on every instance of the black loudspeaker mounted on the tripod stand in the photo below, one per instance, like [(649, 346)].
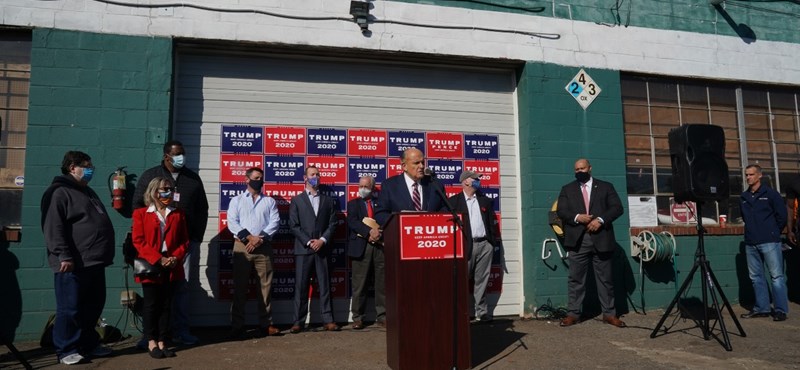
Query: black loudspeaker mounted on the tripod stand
[(699, 169)]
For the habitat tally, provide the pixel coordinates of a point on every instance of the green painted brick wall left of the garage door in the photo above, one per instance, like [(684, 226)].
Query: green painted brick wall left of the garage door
[(106, 95)]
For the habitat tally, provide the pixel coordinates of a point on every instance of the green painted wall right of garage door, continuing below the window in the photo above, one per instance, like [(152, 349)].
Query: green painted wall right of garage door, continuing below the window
[(555, 131)]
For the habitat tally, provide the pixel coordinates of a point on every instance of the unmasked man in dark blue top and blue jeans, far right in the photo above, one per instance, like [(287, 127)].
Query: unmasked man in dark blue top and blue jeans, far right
[(764, 214)]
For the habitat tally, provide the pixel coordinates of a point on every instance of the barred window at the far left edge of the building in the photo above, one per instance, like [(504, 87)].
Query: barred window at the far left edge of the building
[(15, 71)]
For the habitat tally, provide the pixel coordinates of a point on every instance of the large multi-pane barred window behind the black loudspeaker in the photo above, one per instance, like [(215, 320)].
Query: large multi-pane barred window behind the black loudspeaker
[(761, 125)]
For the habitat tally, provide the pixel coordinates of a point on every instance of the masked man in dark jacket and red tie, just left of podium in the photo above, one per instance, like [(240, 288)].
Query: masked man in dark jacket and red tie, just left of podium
[(366, 254)]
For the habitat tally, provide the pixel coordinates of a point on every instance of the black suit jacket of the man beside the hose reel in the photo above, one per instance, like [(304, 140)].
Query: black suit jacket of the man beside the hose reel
[(604, 202)]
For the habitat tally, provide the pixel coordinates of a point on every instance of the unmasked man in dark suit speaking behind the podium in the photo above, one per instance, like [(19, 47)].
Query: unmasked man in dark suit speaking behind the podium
[(410, 190)]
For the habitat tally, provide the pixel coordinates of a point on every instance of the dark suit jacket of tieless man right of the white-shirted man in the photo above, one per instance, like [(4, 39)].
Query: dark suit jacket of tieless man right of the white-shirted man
[(306, 226)]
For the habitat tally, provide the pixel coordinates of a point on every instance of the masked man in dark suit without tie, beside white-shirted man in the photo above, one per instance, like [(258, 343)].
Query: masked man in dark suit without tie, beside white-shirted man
[(312, 219)]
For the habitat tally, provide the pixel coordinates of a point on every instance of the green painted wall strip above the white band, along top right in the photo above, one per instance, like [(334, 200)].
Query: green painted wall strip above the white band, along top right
[(759, 20)]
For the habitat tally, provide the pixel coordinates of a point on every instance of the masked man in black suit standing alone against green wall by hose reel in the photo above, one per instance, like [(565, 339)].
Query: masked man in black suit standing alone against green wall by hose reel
[(588, 208)]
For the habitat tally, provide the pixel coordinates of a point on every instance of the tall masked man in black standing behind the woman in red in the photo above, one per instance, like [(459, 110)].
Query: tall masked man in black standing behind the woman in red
[(190, 196)]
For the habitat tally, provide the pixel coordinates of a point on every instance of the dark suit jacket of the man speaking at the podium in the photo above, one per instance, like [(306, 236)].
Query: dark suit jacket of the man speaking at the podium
[(395, 197)]
